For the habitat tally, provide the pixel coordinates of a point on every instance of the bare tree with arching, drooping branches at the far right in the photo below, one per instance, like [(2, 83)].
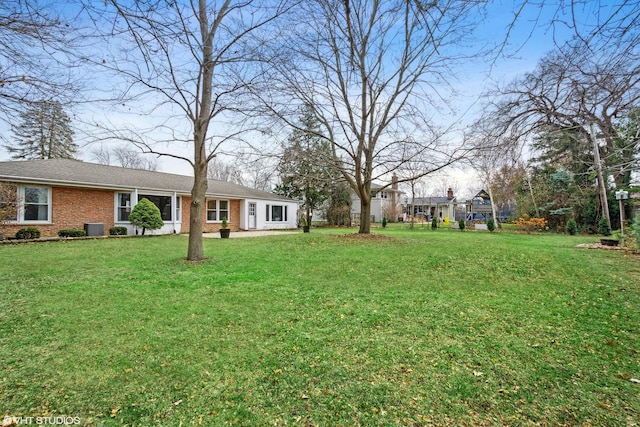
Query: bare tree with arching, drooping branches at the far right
[(583, 89)]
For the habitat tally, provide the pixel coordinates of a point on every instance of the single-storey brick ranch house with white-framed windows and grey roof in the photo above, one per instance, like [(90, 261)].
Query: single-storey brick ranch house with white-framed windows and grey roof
[(60, 194)]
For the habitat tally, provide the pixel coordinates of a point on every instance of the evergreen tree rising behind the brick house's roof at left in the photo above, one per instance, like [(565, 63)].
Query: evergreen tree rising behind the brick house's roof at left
[(44, 133)]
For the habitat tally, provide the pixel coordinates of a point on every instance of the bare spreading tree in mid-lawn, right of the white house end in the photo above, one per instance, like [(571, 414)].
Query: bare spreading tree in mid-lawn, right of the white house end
[(368, 70)]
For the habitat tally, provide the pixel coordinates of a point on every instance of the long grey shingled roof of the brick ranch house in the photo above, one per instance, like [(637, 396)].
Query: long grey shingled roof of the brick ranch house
[(76, 173)]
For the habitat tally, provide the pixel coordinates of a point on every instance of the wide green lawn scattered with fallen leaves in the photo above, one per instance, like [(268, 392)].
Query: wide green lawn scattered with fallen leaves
[(420, 328)]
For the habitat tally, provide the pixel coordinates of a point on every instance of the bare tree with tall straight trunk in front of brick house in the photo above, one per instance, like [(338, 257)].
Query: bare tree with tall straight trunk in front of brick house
[(189, 60)]
